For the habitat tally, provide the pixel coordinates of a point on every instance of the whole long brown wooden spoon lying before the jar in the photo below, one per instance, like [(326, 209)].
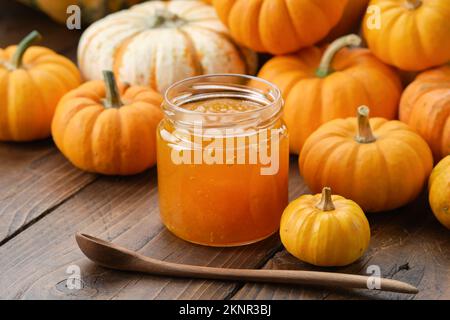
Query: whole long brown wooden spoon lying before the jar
[(112, 256)]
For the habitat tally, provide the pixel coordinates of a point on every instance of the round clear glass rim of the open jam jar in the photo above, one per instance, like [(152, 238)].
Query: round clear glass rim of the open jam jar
[(277, 97)]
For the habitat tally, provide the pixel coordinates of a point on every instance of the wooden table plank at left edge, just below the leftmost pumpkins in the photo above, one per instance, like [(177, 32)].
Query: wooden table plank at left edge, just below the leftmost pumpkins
[(34, 179)]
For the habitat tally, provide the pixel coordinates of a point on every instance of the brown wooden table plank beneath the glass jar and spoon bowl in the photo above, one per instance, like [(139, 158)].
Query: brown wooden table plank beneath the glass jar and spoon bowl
[(125, 210)]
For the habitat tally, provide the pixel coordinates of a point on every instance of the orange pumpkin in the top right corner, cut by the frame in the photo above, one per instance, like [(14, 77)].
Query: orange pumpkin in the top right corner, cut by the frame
[(411, 39)]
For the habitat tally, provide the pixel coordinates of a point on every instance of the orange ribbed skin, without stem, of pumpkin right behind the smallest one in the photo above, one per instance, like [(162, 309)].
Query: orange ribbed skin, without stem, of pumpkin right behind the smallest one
[(379, 176)]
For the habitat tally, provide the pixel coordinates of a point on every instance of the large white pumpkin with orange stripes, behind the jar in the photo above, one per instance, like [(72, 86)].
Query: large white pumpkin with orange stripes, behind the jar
[(160, 42)]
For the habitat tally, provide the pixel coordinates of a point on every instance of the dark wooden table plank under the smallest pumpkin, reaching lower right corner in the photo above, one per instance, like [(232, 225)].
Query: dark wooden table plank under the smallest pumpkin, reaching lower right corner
[(408, 245)]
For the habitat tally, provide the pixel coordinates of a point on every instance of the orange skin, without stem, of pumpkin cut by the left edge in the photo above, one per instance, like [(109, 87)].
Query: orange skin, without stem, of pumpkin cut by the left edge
[(29, 95)]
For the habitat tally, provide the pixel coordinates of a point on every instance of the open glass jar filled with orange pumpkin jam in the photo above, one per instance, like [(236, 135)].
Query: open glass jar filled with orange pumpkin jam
[(223, 158)]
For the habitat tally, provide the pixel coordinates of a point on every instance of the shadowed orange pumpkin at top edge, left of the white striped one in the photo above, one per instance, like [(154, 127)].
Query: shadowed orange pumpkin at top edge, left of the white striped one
[(91, 10)]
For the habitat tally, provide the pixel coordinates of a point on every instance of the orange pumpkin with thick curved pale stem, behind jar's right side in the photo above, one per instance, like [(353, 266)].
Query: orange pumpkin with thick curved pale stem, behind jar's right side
[(319, 86)]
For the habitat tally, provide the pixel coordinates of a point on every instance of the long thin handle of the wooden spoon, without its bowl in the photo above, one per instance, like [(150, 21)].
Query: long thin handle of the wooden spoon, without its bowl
[(278, 276)]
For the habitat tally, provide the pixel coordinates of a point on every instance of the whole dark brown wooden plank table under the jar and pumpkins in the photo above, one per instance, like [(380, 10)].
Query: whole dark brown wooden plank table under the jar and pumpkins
[(44, 200)]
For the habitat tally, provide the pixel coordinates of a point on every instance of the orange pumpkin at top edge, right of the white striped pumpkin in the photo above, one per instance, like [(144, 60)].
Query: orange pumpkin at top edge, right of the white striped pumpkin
[(279, 26)]
